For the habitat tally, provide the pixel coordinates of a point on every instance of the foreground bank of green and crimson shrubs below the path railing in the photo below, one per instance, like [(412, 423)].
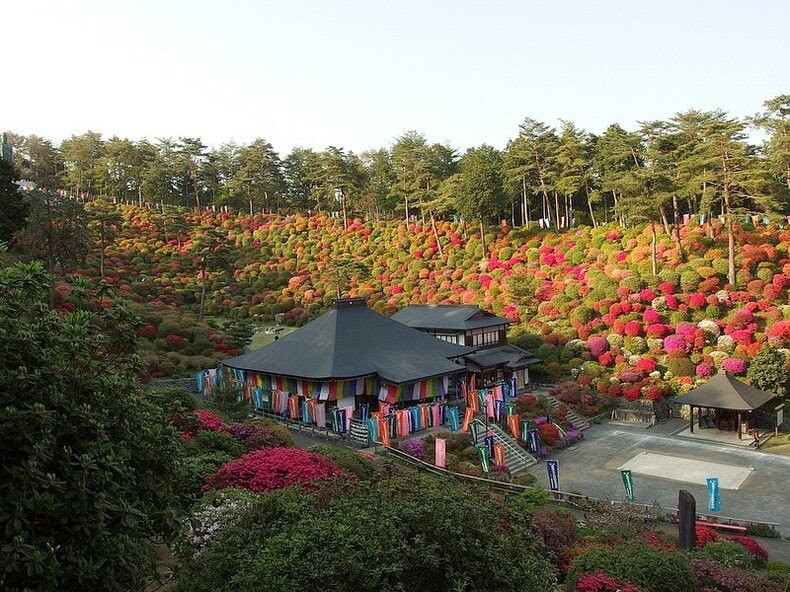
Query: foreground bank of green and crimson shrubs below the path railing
[(269, 516)]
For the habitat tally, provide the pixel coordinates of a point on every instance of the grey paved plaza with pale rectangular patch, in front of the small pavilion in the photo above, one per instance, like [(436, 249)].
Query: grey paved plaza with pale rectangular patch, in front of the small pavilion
[(593, 468)]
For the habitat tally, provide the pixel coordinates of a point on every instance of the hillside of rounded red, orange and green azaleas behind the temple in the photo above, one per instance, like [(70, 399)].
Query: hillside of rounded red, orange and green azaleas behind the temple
[(586, 300)]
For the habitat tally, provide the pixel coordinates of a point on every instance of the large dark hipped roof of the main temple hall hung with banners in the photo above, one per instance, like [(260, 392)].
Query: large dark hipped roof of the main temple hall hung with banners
[(350, 340)]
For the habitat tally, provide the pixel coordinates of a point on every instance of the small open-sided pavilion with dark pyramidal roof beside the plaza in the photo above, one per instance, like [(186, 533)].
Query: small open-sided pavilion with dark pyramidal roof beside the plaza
[(728, 401)]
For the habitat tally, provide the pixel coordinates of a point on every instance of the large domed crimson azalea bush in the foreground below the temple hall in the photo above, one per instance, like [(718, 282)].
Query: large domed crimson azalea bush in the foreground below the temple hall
[(266, 470)]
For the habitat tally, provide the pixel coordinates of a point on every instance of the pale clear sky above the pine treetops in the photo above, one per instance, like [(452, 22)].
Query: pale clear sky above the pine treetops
[(359, 73)]
